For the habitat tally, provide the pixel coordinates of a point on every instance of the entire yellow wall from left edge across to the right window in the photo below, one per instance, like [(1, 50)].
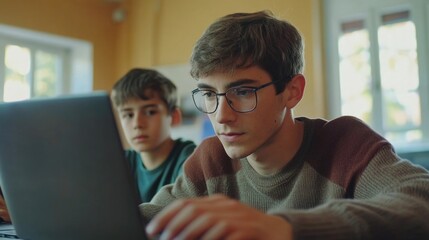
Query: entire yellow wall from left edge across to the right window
[(161, 32)]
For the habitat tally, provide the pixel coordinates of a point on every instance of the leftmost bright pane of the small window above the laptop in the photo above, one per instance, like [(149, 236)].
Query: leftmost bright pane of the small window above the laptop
[(17, 70)]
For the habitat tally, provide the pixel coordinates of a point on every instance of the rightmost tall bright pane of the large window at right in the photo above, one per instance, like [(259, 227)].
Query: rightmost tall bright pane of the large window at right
[(400, 81)]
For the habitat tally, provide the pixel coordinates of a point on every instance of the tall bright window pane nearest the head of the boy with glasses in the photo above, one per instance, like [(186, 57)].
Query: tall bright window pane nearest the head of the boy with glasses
[(355, 74)]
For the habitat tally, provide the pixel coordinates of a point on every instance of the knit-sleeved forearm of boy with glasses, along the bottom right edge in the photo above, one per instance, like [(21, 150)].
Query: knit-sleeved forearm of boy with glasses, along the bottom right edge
[(380, 218)]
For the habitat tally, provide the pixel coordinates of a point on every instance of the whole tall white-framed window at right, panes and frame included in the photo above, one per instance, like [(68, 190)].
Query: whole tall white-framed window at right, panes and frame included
[(376, 53)]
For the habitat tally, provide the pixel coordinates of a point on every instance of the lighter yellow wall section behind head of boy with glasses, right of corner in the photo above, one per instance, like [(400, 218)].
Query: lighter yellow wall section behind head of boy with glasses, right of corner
[(162, 32)]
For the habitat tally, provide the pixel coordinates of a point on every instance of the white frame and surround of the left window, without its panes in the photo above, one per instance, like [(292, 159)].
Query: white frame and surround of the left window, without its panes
[(77, 60)]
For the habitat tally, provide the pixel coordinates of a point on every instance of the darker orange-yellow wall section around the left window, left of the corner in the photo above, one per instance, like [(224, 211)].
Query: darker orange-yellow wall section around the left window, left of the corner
[(88, 20)]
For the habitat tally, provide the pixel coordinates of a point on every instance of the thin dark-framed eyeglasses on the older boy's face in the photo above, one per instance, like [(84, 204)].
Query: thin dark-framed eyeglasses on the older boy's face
[(240, 99)]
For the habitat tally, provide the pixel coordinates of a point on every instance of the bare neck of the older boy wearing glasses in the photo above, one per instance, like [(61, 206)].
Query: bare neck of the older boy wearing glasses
[(279, 150)]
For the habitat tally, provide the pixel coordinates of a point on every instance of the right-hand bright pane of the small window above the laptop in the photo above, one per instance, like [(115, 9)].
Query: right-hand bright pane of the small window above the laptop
[(47, 72)]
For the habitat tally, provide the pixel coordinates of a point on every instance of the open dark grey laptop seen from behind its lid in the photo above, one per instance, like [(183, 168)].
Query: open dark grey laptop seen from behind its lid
[(63, 172)]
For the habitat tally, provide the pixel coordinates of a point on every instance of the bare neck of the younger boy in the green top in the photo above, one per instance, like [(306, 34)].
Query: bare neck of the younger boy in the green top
[(155, 157)]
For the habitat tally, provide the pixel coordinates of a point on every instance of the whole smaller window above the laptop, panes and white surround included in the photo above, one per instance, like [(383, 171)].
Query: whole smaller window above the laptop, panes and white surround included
[(35, 64)]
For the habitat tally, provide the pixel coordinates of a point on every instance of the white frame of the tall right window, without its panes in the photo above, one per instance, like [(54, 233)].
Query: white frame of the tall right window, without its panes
[(370, 11)]
